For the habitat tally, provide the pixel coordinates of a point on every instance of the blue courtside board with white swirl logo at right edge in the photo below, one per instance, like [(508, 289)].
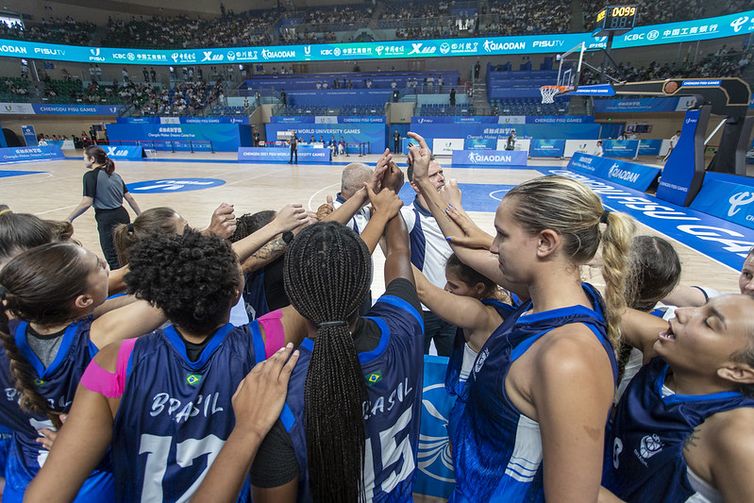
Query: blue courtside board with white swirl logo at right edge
[(728, 197)]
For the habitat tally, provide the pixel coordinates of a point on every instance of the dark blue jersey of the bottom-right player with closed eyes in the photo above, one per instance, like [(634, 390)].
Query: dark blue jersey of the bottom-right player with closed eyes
[(644, 459)]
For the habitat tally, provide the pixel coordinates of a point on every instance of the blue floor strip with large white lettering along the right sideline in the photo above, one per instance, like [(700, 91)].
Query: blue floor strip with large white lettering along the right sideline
[(724, 242)]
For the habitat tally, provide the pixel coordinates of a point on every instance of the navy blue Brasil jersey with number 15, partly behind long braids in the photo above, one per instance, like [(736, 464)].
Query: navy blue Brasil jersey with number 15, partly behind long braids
[(394, 376)]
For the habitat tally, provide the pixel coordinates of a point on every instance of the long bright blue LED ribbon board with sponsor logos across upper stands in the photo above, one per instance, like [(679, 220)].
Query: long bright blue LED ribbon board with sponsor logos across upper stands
[(741, 23)]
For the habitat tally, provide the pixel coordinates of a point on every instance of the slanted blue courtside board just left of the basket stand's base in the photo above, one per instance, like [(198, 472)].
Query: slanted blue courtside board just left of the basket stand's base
[(629, 174)]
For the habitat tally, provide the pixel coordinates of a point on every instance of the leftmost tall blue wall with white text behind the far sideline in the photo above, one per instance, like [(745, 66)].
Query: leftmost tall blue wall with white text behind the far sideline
[(224, 137)]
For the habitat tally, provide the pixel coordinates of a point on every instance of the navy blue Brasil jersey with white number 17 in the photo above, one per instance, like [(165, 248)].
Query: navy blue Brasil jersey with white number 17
[(175, 414)]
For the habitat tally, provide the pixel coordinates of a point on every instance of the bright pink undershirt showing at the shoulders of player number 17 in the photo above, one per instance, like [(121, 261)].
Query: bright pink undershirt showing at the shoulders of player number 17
[(112, 385)]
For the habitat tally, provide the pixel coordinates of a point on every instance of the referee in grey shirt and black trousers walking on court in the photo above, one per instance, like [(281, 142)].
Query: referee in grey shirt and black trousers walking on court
[(105, 190)]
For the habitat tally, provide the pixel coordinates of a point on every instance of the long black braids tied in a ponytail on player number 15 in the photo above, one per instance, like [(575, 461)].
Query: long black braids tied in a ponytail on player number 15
[(327, 274)]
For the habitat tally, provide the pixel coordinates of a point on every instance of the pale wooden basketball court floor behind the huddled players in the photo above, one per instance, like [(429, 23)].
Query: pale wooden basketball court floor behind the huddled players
[(55, 191)]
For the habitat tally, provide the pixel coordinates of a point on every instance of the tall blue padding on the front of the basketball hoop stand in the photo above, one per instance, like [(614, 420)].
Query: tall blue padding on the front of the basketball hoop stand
[(680, 168)]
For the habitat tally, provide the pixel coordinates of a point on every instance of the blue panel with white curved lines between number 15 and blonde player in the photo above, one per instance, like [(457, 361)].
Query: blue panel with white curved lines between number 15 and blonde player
[(435, 475)]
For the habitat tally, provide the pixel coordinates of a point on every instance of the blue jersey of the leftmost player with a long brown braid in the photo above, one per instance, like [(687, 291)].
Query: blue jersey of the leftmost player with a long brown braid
[(57, 383)]
